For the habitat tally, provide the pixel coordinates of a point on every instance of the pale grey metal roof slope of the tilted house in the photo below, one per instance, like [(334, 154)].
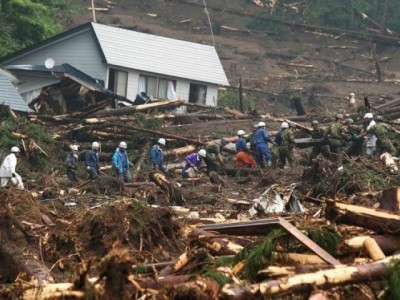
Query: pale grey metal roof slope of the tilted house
[(160, 55)]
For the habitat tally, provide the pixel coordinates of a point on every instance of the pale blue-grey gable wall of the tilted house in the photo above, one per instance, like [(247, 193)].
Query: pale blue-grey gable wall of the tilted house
[(79, 50)]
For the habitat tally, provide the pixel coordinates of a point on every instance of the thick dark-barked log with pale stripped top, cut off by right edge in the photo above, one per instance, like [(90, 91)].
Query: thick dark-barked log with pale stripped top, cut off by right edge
[(378, 221)]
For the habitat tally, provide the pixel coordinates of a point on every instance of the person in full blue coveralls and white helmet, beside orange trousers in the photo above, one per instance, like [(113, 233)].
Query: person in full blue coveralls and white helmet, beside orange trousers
[(261, 139)]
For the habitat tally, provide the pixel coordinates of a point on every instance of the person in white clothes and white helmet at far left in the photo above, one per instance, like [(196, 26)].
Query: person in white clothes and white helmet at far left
[(7, 170)]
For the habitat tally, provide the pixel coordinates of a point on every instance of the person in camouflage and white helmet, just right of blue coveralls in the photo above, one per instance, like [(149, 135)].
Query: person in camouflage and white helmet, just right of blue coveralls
[(285, 141)]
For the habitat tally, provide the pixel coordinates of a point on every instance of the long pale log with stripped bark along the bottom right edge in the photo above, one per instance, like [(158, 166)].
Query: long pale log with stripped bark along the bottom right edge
[(320, 279)]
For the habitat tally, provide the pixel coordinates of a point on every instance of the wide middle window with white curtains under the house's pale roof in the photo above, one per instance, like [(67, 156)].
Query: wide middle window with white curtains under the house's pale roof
[(156, 87)]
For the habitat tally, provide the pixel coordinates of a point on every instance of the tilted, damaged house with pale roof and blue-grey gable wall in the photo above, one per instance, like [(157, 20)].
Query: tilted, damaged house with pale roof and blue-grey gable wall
[(128, 63)]
